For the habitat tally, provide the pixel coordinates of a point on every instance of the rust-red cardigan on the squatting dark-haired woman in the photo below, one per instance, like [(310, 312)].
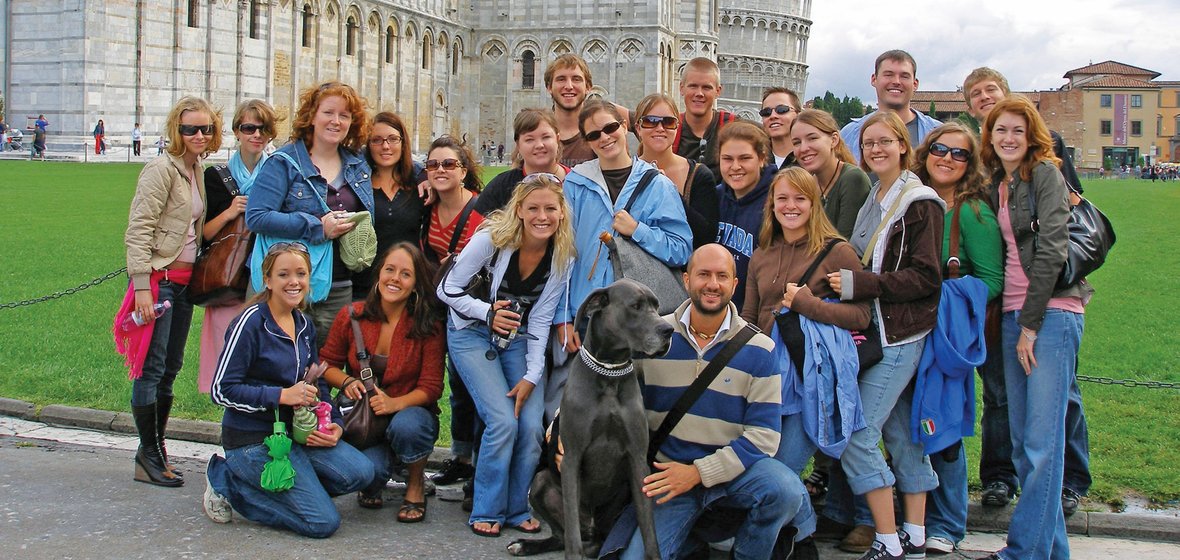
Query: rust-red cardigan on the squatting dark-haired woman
[(414, 364)]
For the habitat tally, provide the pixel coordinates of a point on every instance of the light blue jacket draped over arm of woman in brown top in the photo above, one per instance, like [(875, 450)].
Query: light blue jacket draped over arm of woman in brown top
[(829, 385)]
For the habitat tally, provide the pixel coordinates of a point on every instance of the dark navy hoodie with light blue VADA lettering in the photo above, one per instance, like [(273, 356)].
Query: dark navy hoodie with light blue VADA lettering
[(738, 223)]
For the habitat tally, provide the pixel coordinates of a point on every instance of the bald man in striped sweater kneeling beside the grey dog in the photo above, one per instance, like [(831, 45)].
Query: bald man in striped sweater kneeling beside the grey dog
[(722, 454)]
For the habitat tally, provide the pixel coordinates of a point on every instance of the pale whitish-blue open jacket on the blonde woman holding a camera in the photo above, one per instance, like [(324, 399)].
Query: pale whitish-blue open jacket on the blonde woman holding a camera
[(477, 255)]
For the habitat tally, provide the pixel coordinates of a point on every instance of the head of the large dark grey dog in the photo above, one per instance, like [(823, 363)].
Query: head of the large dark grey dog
[(625, 317)]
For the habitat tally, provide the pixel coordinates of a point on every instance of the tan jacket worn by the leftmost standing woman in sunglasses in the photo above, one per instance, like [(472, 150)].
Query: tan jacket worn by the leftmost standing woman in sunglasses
[(161, 213)]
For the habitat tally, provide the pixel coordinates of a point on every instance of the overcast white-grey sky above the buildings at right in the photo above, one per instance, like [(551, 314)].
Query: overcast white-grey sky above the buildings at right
[(1033, 43)]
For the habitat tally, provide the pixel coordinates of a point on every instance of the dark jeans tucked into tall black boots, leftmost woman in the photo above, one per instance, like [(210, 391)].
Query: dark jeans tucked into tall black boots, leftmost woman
[(166, 353)]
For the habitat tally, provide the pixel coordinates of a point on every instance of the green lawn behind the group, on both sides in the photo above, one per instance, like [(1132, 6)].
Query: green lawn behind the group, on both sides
[(64, 227)]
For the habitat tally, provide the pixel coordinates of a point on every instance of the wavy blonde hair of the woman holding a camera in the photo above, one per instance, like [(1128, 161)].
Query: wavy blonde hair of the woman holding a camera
[(508, 229)]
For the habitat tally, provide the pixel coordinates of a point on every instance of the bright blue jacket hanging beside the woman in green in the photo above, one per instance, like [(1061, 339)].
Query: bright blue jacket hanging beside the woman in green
[(945, 391)]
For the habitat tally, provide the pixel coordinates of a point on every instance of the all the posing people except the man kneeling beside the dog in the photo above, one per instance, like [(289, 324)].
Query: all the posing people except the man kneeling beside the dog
[(873, 247)]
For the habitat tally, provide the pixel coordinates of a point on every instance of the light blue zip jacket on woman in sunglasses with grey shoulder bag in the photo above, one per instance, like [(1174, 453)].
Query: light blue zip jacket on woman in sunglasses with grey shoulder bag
[(663, 232)]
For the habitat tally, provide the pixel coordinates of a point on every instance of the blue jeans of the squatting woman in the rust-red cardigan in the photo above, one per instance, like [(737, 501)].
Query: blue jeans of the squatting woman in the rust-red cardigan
[(410, 438)]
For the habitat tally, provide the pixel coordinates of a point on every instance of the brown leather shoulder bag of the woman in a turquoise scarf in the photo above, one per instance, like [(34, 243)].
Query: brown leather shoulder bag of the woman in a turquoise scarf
[(221, 274)]
